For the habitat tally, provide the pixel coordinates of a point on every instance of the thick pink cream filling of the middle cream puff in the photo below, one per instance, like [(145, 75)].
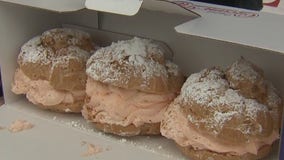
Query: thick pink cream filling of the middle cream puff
[(114, 105)]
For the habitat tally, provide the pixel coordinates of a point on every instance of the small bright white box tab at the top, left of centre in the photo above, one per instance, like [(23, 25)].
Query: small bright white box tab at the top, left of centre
[(124, 7)]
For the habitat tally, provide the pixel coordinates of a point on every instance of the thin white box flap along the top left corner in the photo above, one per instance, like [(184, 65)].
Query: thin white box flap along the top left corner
[(53, 5)]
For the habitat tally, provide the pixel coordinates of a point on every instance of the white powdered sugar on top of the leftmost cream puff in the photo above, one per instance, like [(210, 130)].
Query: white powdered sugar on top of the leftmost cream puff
[(35, 52)]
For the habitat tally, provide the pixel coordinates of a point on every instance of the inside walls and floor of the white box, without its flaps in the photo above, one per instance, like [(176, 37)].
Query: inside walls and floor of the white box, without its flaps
[(57, 138)]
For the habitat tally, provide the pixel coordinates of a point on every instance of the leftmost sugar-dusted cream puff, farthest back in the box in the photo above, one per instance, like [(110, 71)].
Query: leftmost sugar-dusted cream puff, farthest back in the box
[(52, 68)]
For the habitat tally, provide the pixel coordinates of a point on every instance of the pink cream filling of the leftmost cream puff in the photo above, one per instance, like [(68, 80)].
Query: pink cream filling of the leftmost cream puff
[(41, 92)]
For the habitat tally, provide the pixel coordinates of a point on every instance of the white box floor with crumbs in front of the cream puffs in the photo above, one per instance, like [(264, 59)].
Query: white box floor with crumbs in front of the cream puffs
[(60, 136)]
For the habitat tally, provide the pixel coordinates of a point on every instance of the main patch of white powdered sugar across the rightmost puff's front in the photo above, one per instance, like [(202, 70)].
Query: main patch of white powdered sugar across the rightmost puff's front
[(210, 90)]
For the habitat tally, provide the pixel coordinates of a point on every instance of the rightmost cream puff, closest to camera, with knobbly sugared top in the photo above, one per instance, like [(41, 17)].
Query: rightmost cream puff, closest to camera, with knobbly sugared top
[(225, 115)]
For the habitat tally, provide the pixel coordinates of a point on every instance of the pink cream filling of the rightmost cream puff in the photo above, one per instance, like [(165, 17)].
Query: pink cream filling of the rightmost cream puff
[(175, 126)]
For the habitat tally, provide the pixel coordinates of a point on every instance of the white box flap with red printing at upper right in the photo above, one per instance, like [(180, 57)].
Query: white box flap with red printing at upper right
[(246, 27)]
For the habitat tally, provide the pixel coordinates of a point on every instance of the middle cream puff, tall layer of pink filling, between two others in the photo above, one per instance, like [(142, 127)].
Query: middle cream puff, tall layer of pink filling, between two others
[(129, 86)]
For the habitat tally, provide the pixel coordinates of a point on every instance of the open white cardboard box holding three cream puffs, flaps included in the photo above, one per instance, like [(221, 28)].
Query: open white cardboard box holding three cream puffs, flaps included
[(198, 41)]
